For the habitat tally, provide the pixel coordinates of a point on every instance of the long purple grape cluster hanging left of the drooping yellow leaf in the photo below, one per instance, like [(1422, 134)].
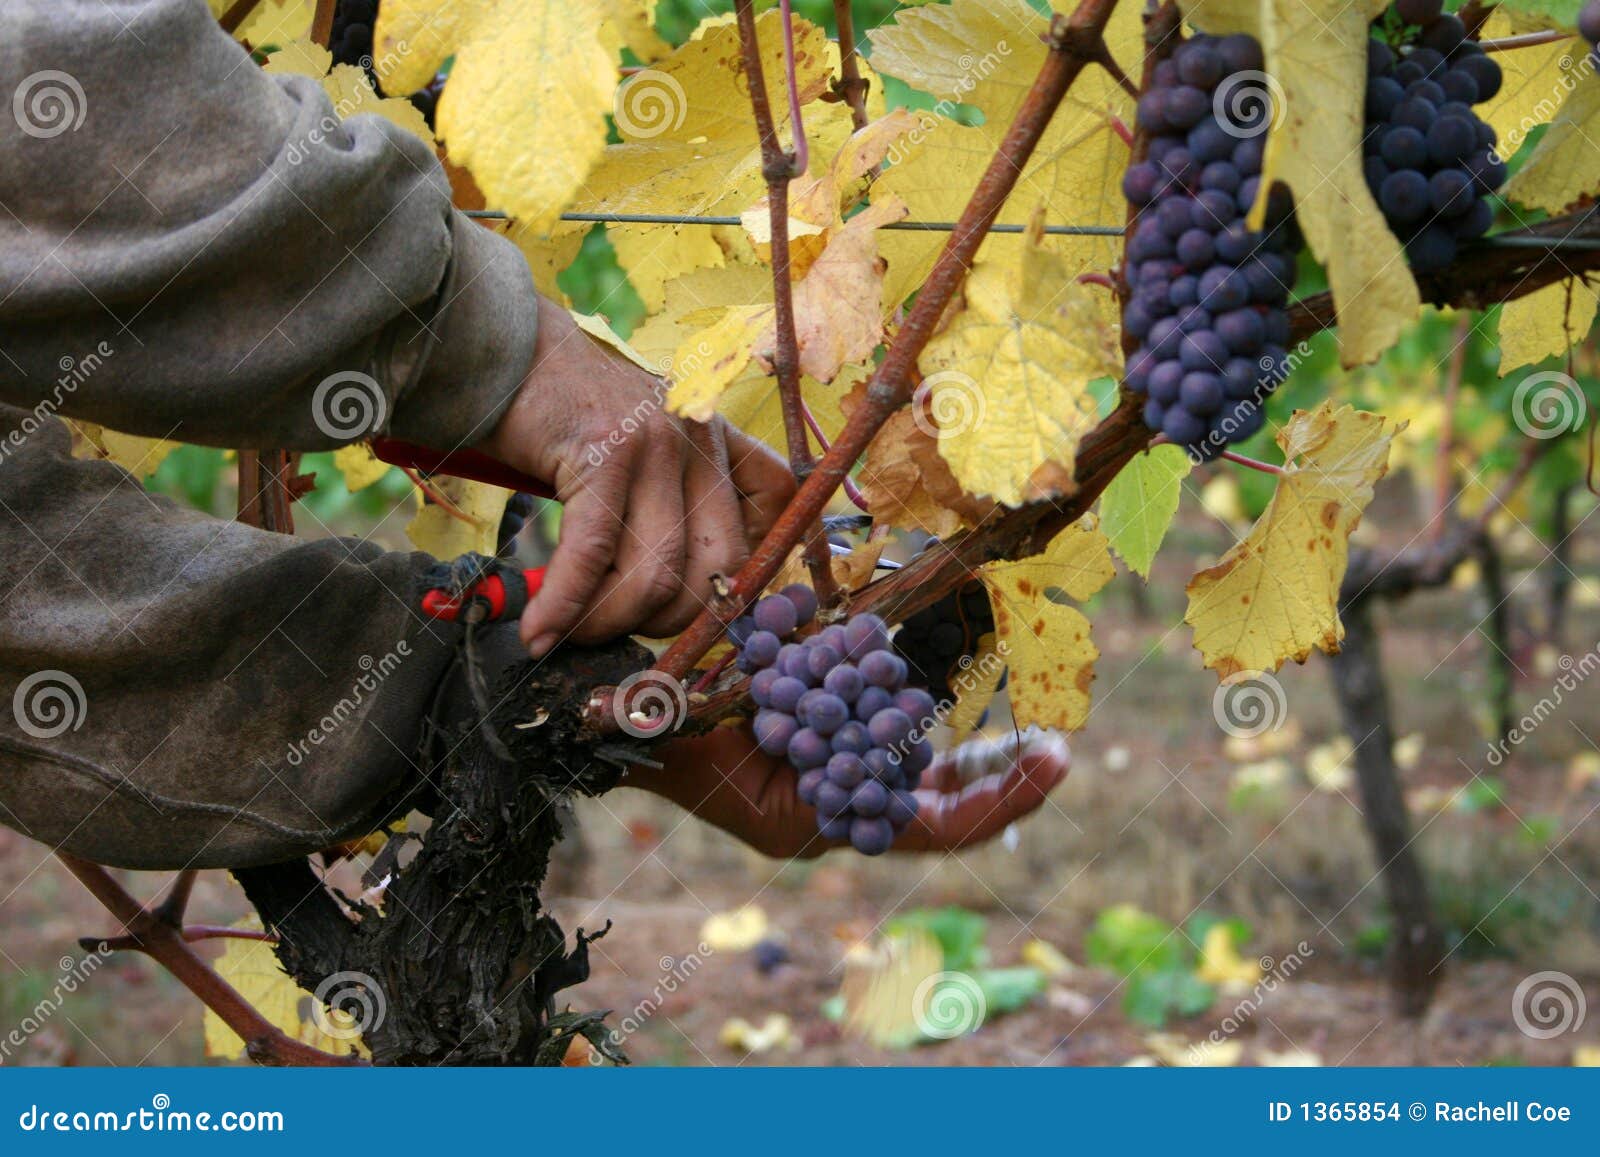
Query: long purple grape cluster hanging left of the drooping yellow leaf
[(1209, 295)]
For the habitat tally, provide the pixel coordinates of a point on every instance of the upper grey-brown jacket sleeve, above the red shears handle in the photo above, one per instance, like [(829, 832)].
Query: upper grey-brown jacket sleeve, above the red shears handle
[(262, 273)]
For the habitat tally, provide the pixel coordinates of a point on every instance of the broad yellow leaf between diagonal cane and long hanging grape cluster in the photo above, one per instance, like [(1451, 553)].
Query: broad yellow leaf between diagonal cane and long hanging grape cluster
[(1009, 378)]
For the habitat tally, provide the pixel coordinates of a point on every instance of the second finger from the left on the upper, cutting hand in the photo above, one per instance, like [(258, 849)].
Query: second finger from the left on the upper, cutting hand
[(647, 577)]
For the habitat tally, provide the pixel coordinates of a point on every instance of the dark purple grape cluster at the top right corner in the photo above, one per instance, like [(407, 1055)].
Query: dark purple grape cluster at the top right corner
[(1430, 159)]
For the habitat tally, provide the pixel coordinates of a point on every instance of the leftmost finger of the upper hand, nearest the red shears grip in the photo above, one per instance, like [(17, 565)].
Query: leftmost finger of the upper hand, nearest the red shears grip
[(596, 500)]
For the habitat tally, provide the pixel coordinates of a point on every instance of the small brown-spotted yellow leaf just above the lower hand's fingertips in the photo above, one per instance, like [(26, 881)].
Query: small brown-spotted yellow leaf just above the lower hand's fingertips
[(1042, 639)]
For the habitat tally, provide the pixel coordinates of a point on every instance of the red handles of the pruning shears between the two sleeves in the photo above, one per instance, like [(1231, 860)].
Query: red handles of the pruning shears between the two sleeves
[(473, 588)]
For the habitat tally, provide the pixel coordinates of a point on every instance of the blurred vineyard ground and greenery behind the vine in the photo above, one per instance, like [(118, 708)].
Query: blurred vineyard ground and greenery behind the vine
[(1190, 897)]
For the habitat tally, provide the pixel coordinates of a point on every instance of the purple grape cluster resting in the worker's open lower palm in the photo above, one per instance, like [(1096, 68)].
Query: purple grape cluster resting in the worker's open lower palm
[(838, 707)]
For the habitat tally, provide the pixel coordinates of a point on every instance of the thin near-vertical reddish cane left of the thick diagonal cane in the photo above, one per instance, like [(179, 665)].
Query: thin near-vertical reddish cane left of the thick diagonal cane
[(780, 169)]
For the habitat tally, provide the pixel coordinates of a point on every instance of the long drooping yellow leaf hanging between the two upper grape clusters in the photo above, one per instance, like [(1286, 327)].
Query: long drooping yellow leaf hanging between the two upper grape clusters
[(1318, 58)]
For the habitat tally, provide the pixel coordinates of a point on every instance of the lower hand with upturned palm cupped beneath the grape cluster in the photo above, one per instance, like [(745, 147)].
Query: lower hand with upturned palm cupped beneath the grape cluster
[(969, 796)]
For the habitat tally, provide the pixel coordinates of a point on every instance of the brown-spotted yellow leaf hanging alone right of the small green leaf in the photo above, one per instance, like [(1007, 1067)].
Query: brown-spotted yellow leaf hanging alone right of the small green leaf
[(1276, 595)]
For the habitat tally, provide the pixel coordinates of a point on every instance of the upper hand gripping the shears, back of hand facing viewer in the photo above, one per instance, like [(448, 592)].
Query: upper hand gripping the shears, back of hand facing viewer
[(655, 505)]
